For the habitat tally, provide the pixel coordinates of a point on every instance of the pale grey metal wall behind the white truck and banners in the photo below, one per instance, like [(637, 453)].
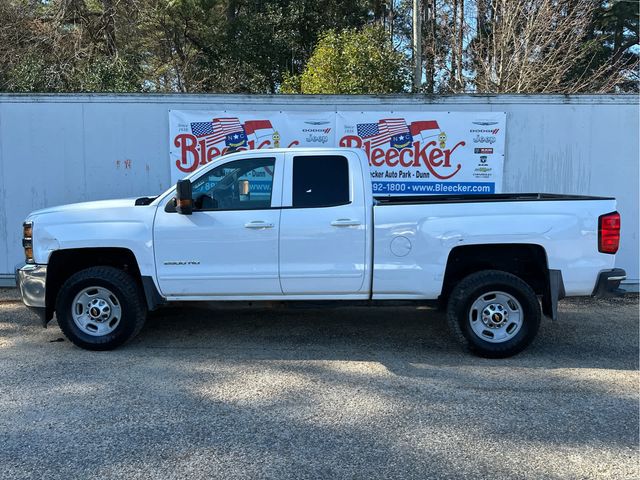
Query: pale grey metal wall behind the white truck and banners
[(57, 149)]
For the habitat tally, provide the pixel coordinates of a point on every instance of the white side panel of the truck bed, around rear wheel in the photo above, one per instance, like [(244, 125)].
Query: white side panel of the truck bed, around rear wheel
[(567, 230)]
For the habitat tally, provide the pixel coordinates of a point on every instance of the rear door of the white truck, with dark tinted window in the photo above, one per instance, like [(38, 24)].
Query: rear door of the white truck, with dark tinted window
[(323, 226)]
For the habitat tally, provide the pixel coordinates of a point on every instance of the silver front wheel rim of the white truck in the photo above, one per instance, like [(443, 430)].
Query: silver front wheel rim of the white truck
[(96, 311)]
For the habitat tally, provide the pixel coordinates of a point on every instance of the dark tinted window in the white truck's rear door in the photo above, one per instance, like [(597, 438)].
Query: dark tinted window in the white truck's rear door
[(320, 181)]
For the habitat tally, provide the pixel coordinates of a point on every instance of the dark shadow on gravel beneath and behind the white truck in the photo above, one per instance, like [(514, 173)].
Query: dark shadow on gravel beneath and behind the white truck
[(399, 337)]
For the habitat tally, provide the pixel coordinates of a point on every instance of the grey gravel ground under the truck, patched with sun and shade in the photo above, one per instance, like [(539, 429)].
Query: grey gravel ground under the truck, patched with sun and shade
[(323, 393)]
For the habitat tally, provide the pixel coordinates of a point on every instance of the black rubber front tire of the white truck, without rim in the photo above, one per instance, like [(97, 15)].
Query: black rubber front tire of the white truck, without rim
[(129, 298)]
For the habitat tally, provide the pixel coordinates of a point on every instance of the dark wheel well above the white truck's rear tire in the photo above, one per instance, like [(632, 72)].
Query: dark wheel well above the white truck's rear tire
[(527, 261)]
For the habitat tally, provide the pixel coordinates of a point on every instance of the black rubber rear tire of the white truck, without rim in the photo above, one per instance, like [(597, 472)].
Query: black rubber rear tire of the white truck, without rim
[(473, 287)]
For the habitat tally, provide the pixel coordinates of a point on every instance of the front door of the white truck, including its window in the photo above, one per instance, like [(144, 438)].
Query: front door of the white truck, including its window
[(228, 246)]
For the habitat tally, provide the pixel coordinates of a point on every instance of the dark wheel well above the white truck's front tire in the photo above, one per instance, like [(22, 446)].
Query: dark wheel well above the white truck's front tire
[(64, 263)]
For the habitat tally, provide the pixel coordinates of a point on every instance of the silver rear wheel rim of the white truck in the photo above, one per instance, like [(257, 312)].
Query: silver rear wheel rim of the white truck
[(496, 317)]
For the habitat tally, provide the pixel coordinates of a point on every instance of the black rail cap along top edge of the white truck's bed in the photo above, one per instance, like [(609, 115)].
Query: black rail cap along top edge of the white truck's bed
[(498, 197)]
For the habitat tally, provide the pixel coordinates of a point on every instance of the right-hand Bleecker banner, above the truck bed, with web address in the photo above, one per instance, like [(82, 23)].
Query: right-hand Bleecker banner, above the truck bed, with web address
[(418, 153)]
